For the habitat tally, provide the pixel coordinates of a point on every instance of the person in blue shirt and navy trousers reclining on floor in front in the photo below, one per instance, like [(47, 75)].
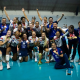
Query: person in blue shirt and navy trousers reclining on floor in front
[(60, 58)]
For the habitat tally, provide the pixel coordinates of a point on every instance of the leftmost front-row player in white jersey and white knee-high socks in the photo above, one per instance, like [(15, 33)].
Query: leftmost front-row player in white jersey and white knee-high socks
[(3, 45)]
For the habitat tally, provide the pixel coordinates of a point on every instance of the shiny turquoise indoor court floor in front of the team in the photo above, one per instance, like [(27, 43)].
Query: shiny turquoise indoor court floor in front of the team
[(32, 71)]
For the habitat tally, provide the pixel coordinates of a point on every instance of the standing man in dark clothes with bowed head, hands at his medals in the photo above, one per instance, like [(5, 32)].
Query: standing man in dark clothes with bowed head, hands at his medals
[(72, 40)]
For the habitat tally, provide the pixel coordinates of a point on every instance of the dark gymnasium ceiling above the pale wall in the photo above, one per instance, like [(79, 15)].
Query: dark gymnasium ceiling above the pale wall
[(47, 5)]
